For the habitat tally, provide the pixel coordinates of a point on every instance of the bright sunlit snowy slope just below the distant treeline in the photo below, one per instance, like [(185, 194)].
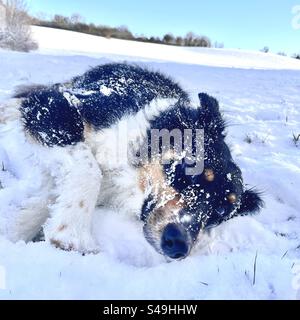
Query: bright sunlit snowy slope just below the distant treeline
[(70, 43)]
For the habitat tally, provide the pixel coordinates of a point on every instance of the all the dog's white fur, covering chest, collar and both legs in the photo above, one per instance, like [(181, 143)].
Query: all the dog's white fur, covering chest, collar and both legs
[(77, 178)]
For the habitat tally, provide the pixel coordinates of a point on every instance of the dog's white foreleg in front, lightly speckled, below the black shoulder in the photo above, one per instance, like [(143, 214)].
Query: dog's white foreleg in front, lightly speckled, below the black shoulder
[(77, 188)]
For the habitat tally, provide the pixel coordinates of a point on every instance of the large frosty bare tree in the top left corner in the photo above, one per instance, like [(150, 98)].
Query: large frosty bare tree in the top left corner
[(17, 34)]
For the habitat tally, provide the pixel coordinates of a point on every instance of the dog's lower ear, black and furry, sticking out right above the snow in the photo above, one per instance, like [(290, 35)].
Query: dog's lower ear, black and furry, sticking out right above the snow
[(251, 202)]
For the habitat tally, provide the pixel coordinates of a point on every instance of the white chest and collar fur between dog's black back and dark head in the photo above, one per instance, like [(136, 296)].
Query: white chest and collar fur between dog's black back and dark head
[(113, 149)]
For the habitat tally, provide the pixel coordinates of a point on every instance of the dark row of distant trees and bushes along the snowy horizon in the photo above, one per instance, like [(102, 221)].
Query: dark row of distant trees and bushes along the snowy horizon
[(76, 23)]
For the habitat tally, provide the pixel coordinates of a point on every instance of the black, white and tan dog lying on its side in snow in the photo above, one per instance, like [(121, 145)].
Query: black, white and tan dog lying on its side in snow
[(105, 123)]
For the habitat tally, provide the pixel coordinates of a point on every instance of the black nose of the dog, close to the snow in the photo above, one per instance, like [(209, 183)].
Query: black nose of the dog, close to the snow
[(174, 242)]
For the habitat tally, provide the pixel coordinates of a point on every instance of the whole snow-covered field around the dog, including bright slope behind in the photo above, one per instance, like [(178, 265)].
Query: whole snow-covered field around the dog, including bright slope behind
[(259, 95)]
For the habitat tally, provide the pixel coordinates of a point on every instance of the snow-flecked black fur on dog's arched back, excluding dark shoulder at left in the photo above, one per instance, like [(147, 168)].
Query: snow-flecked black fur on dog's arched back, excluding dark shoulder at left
[(132, 88)]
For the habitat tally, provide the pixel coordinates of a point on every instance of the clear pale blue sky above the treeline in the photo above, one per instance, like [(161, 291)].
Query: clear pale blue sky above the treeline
[(245, 24)]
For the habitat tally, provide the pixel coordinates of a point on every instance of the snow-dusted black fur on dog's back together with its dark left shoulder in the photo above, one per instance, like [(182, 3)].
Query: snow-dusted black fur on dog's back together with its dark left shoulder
[(131, 88)]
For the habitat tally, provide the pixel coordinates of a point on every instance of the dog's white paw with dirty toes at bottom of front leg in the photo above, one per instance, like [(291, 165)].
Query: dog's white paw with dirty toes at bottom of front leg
[(84, 244)]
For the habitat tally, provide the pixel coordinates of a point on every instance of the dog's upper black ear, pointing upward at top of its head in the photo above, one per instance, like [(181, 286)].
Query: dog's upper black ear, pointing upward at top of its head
[(210, 113)]
